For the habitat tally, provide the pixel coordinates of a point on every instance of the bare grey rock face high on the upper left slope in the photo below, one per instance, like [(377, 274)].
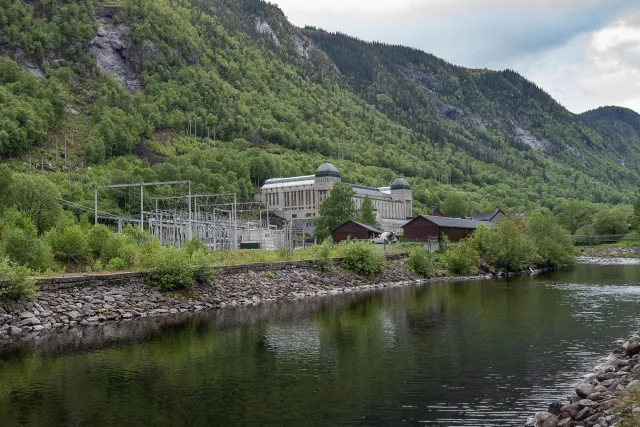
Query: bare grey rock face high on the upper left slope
[(114, 54)]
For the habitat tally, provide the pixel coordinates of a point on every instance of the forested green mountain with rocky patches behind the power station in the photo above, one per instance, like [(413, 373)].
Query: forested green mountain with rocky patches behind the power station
[(228, 93)]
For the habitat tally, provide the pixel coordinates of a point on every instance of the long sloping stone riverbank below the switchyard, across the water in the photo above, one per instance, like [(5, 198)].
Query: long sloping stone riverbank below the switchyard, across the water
[(95, 299)]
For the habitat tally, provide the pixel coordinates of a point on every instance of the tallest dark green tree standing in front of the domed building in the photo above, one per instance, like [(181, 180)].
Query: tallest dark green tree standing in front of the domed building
[(334, 210)]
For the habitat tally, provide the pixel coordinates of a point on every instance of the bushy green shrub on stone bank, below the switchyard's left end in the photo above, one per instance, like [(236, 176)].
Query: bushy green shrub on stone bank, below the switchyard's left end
[(169, 269)]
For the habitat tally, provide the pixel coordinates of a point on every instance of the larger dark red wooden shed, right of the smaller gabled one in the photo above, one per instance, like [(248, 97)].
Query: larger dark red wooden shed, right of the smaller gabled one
[(434, 228)]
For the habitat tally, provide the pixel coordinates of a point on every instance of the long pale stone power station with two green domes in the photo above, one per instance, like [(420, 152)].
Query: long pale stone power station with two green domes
[(300, 197)]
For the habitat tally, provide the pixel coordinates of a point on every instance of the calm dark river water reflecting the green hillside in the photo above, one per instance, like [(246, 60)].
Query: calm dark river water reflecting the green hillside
[(442, 354)]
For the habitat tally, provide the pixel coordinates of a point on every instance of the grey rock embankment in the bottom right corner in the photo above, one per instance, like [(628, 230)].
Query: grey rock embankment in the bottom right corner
[(595, 399)]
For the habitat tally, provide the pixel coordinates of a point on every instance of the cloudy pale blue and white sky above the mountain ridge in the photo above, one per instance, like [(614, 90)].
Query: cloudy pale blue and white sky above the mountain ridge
[(586, 53)]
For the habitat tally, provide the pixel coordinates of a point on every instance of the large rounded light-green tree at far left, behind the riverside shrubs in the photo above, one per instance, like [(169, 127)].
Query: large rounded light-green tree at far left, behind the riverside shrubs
[(38, 198)]
